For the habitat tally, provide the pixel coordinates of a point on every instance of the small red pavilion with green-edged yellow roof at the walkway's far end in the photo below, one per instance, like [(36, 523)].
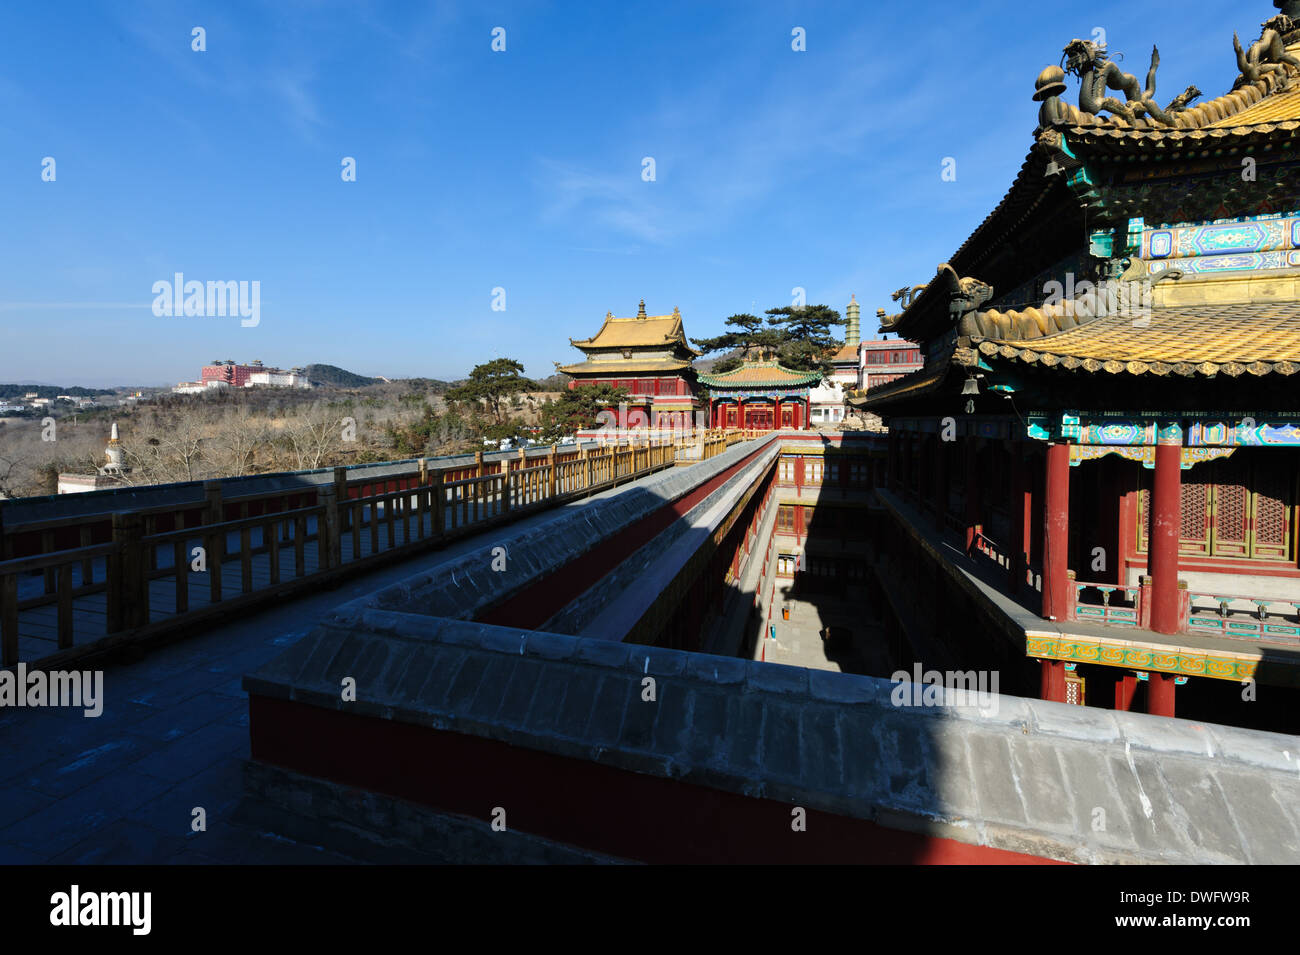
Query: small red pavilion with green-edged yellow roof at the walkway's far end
[(760, 396)]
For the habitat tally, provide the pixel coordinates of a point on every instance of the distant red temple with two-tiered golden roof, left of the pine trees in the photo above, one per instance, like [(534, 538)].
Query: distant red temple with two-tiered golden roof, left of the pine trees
[(649, 358)]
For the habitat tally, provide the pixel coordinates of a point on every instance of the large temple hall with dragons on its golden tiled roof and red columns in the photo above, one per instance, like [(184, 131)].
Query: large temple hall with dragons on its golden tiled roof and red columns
[(1103, 448)]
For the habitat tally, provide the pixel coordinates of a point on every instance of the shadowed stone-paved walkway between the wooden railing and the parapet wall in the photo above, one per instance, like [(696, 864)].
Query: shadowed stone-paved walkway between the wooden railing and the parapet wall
[(122, 788)]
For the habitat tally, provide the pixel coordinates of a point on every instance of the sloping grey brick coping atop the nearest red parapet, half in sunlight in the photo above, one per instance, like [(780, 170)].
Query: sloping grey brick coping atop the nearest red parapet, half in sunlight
[(1048, 779)]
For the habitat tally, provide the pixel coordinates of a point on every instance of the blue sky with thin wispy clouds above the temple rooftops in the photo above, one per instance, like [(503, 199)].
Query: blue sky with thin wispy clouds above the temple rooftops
[(519, 170)]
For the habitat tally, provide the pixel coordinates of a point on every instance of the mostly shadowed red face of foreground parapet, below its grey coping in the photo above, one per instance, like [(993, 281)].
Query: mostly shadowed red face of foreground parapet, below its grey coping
[(579, 804)]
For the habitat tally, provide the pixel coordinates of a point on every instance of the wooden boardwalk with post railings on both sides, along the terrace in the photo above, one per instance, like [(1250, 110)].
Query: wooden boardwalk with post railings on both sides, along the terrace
[(146, 570)]
